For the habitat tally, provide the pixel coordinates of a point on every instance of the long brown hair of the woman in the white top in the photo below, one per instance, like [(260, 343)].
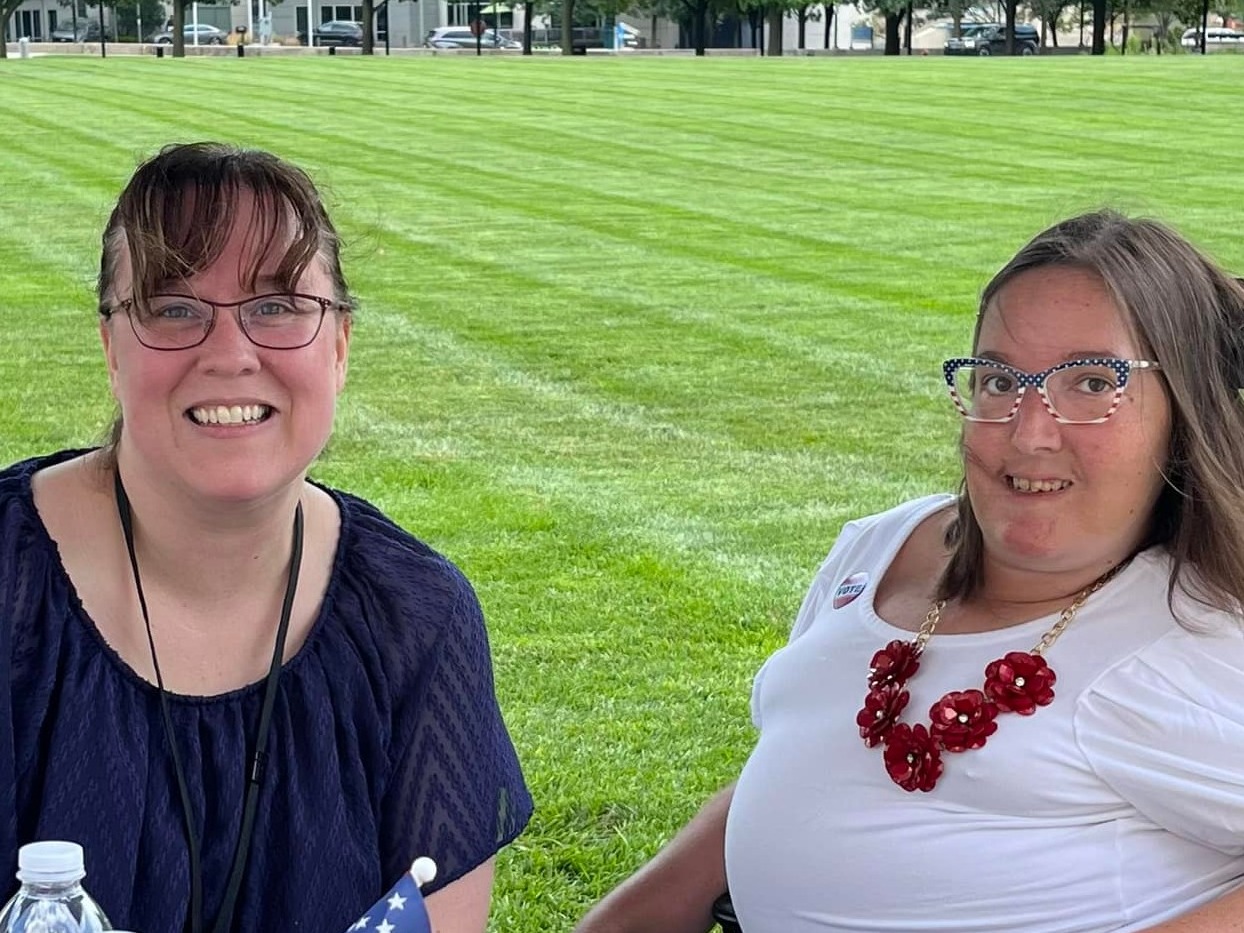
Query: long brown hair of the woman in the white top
[(1189, 315)]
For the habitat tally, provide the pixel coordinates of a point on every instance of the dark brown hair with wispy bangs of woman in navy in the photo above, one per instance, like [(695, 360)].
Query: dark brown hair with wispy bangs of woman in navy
[(176, 215)]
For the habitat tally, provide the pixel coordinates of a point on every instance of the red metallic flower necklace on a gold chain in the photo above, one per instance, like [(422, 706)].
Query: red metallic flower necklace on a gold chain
[(1018, 682)]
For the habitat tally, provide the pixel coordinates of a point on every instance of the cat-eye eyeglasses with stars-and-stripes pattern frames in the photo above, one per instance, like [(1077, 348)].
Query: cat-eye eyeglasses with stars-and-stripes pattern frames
[(1077, 392)]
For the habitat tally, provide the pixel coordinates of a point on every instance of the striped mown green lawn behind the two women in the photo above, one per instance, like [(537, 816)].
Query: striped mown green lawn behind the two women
[(636, 338)]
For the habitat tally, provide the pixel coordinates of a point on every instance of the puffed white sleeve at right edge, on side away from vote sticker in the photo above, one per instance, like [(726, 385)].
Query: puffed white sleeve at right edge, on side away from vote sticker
[(1165, 730)]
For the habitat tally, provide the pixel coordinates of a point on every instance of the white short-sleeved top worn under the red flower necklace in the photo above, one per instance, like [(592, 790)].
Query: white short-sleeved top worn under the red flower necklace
[(1115, 808)]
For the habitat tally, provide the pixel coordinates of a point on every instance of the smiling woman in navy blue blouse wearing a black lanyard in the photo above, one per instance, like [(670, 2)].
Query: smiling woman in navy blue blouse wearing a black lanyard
[(253, 700)]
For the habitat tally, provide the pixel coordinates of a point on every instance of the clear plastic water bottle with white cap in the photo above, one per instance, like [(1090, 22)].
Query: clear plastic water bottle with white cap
[(52, 899)]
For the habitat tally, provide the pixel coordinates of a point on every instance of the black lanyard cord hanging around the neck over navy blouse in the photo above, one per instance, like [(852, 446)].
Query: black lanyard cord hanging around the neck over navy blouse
[(256, 773)]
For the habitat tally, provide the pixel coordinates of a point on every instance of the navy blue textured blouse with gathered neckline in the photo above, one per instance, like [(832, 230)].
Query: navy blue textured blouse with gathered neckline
[(388, 742)]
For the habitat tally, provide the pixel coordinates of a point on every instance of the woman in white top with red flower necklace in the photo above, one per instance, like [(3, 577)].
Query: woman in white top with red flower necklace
[(1019, 710)]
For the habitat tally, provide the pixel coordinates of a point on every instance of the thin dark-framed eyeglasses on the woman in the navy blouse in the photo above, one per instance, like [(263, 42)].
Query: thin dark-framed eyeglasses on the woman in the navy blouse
[(278, 322)]
